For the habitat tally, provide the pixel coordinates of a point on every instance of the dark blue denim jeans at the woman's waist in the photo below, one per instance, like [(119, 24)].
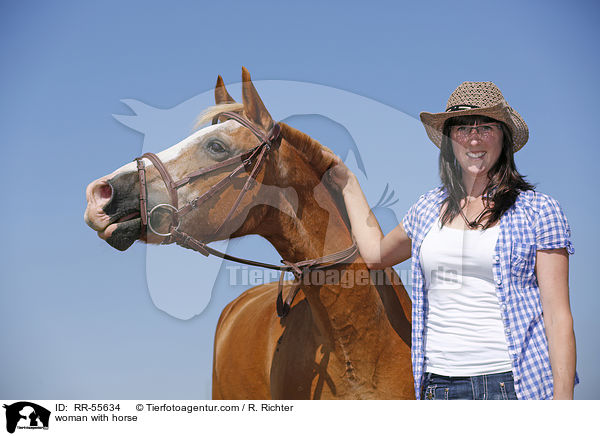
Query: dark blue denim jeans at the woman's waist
[(500, 386)]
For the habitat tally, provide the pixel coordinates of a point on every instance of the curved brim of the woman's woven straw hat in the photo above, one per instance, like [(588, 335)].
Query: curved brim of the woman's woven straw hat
[(434, 122)]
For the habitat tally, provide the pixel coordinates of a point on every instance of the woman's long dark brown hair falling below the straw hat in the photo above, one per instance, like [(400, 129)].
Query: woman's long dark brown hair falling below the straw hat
[(504, 181)]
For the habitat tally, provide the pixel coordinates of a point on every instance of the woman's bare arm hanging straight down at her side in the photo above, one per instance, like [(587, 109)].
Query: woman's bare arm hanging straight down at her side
[(552, 269)]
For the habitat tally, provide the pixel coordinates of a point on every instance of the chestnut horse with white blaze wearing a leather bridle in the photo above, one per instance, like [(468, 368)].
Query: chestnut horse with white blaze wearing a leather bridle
[(347, 334)]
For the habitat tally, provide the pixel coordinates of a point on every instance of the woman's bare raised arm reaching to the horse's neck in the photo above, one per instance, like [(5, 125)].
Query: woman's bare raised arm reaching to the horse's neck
[(377, 251)]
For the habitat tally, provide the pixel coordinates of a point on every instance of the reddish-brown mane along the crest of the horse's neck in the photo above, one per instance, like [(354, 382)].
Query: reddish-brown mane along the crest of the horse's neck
[(320, 162)]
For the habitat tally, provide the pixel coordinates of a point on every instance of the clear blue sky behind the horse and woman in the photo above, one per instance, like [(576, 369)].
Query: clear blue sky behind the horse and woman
[(78, 317)]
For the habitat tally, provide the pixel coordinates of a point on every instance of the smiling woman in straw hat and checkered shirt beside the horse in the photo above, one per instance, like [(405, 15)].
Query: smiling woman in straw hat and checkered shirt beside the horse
[(491, 314)]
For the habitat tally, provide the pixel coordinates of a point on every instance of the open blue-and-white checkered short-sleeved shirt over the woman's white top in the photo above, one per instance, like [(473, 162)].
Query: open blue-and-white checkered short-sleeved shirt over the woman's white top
[(534, 222)]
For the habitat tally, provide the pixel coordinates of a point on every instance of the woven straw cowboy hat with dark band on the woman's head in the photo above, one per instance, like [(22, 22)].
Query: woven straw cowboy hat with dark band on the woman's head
[(477, 98)]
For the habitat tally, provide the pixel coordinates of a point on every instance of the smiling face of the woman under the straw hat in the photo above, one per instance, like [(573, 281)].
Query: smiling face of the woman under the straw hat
[(477, 147)]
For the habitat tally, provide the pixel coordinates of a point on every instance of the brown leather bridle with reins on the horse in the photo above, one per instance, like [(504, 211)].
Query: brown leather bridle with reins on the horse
[(268, 142)]
